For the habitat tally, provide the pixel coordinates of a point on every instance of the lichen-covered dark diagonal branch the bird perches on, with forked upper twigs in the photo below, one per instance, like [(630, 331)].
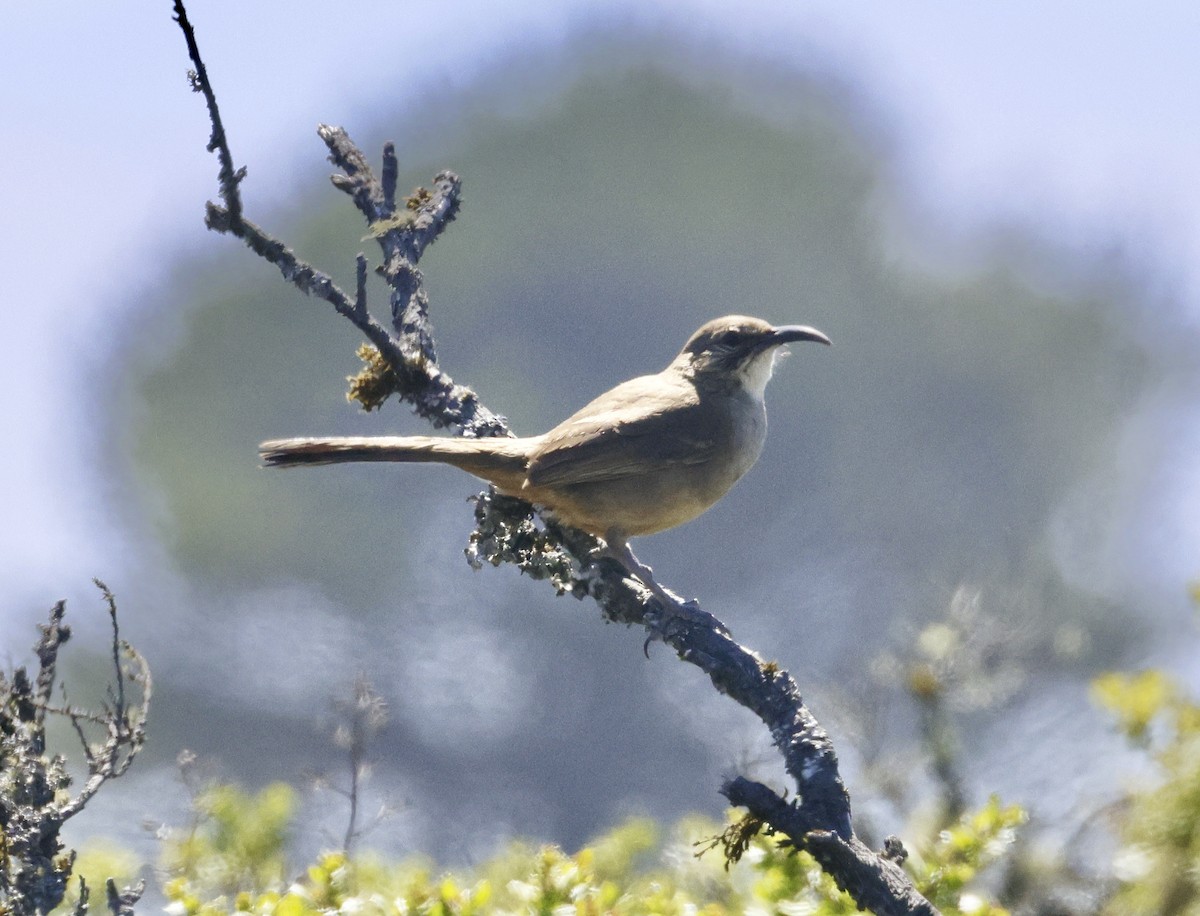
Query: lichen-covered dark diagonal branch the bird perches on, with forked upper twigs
[(511, 531)]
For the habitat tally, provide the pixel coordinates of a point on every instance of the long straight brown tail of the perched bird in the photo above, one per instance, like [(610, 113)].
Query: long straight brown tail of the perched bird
[(501, 462)]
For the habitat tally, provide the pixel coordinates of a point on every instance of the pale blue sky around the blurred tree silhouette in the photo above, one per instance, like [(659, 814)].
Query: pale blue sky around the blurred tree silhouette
[(1077, 119)]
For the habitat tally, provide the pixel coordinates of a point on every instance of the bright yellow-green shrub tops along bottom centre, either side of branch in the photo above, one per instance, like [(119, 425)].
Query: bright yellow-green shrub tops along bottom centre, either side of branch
[(231, 861)]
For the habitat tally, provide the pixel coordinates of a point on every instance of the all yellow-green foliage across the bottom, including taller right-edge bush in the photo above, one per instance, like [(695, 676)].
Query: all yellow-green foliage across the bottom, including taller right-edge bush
[(232, 857)]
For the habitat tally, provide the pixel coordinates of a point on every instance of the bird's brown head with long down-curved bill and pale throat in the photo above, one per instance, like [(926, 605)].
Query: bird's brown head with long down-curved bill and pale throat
[(739, 350)]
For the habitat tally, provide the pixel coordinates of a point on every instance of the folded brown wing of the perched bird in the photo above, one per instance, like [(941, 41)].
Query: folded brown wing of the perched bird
[(638, 428)]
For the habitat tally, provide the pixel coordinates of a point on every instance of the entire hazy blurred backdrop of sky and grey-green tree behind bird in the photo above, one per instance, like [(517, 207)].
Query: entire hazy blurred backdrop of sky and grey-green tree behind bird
[(992, 212)]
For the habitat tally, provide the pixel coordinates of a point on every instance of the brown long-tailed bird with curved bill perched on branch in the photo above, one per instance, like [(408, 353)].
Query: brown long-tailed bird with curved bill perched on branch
[(650, 454)]
